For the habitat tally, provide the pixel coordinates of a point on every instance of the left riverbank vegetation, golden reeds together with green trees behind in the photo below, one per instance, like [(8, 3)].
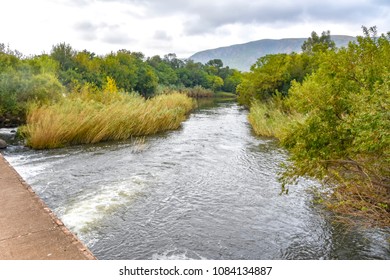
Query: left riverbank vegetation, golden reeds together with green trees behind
[(70, 97)]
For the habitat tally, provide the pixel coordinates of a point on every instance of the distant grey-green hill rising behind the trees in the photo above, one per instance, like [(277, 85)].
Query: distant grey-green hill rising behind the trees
[(243, 56)]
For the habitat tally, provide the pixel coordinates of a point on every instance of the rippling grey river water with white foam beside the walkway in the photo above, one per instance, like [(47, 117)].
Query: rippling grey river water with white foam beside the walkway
[(206, 191)]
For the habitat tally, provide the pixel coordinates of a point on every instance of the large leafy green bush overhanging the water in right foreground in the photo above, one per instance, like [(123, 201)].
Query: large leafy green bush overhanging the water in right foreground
[(345, 138)]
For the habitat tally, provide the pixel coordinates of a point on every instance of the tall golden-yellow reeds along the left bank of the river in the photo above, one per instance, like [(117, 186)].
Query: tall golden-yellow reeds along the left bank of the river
[(85, 120)]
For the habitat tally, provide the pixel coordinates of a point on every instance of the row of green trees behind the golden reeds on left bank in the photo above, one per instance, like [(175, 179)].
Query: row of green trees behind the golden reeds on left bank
[(47, 77)]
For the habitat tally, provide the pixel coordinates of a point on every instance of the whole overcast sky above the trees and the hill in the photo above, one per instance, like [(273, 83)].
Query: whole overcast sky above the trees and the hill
[(178, 26)]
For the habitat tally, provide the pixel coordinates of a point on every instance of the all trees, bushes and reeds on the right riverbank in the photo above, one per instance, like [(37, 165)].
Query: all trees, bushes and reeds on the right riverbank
[(330, 109)]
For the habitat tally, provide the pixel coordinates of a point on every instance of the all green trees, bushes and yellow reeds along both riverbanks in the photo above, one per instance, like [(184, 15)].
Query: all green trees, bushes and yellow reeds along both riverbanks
[(328, 106)]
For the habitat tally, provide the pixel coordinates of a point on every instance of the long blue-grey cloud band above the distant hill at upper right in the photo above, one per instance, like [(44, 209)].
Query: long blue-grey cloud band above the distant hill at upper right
[(210, 18)]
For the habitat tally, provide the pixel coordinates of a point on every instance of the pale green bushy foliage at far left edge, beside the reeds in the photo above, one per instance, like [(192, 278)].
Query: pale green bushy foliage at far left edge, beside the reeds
[(22, 81)]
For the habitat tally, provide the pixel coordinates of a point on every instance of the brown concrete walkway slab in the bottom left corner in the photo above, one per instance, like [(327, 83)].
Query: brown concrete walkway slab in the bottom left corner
[(28, 228)]
